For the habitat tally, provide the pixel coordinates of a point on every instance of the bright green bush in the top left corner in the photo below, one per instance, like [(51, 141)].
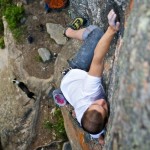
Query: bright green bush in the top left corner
[(13, 15)]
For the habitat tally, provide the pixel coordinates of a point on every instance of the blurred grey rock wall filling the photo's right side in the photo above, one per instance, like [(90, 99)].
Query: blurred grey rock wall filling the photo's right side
[(130, 86)]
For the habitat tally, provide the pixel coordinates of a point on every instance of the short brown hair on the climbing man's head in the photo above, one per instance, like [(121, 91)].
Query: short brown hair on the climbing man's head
[(93, 122)]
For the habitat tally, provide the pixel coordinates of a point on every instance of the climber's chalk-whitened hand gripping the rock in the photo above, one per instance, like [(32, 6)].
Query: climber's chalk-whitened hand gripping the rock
[(112, 20)]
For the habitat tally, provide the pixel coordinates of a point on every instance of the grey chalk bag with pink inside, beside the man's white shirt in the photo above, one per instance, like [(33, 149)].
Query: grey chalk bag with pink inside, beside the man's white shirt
[(59, 98)]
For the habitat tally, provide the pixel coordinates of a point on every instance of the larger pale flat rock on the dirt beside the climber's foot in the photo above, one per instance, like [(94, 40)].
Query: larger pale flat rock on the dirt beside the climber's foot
[(56, 33)]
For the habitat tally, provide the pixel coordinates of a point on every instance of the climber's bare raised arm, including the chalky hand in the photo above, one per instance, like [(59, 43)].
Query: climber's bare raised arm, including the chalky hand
[(96, 68)]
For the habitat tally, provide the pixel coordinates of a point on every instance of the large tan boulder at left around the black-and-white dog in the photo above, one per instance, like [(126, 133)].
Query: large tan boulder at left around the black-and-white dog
[(17, 121)]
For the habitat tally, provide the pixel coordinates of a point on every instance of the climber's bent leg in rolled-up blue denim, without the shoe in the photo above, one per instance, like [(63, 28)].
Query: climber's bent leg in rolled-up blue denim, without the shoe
[(91, 35)]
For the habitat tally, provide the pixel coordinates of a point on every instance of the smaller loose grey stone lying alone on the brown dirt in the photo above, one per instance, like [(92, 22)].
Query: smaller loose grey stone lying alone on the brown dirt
[(44, 54)]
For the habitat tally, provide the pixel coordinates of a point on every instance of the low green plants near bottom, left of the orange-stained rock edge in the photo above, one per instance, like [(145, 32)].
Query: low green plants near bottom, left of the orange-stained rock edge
[(57, 125)]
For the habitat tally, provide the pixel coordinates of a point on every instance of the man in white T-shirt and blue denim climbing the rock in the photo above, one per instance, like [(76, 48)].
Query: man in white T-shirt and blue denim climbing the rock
[(81, 85)]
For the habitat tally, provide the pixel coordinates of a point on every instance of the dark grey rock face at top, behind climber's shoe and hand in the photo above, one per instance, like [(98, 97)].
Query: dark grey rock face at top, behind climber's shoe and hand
[(95, 11)]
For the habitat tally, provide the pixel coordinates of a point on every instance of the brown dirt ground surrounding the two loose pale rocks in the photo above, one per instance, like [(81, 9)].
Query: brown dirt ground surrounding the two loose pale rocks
[(36, 17)]
